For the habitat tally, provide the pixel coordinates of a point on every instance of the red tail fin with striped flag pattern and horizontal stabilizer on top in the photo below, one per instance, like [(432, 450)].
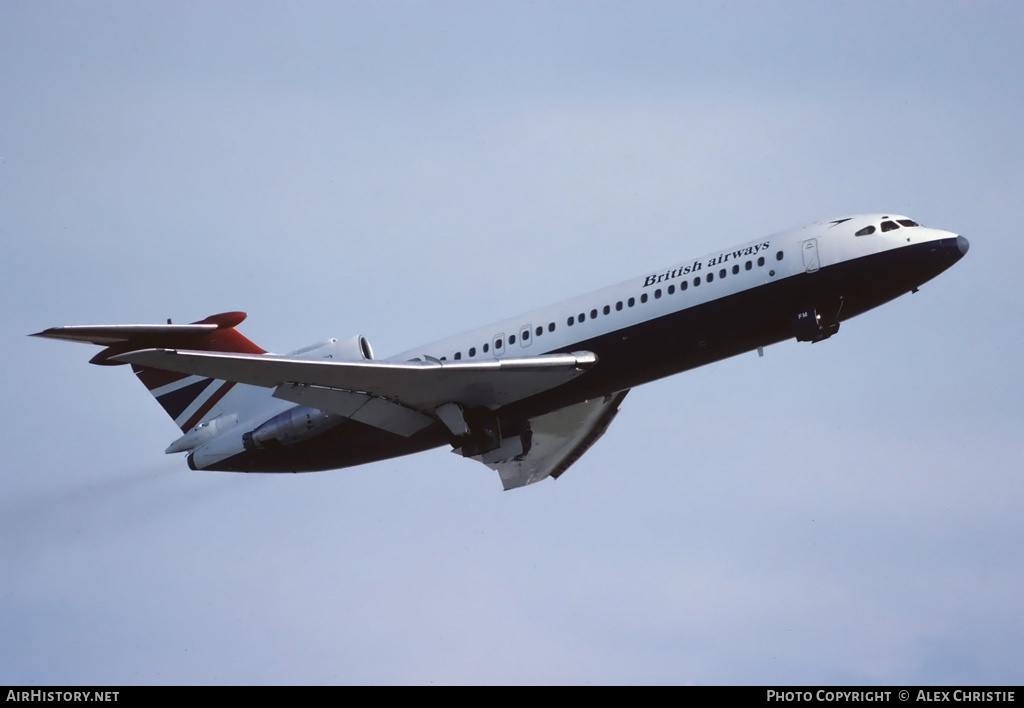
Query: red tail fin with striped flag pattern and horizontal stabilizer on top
[(188, 400)]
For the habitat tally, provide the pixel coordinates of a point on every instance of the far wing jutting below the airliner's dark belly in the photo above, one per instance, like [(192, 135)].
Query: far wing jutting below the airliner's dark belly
[(553, 442)]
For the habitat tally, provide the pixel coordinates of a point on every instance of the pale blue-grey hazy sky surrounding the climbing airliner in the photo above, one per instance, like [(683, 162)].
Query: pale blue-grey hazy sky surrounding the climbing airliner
[(845, 513)]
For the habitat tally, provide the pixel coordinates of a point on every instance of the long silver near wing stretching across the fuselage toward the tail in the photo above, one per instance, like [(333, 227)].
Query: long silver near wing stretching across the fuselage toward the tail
[(402, 398)]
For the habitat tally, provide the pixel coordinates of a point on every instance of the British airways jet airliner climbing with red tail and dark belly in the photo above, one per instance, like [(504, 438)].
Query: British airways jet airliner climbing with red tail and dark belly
[(527, 396)]
